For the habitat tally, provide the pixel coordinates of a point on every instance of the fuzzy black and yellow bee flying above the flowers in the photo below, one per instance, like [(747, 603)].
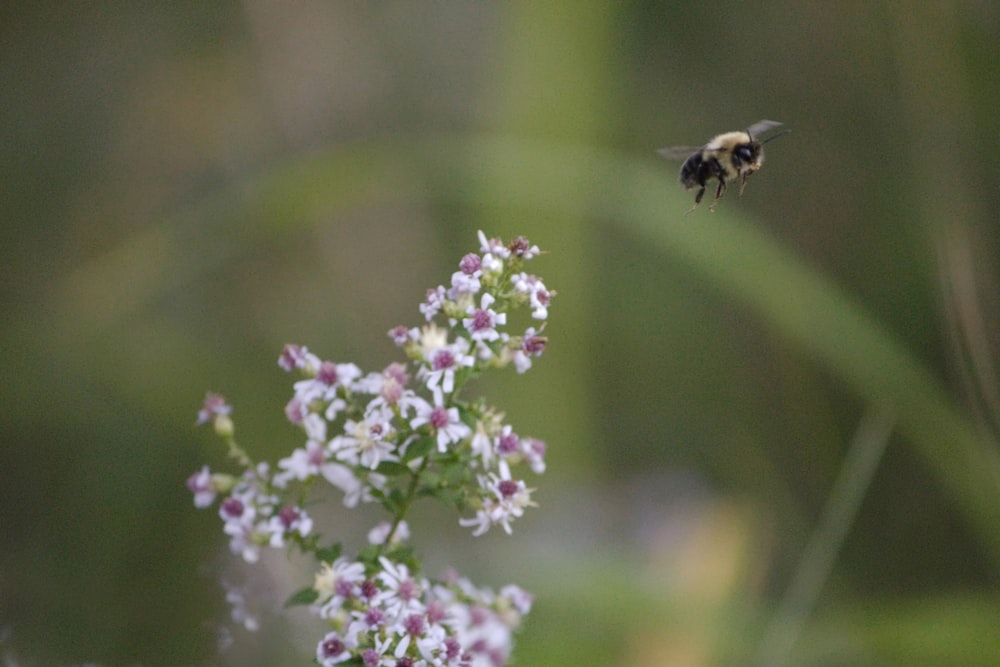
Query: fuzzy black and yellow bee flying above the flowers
[(727, 157)]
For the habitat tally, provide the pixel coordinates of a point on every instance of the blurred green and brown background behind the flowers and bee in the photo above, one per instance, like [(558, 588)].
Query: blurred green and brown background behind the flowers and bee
[(188, 186)]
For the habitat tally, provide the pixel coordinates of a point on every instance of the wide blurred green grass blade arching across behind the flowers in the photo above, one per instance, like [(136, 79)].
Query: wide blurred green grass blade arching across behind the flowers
[(795, 301)]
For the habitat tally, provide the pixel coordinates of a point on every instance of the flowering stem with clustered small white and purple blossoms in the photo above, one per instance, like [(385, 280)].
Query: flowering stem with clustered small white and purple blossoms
[(376, 439)]
